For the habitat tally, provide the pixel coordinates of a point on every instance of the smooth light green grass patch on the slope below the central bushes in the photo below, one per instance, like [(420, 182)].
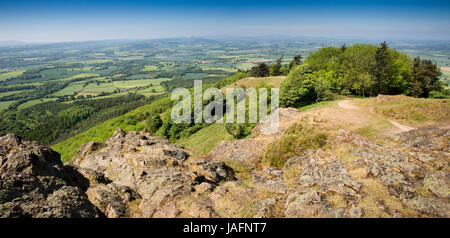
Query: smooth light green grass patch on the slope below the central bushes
[(206, 139)]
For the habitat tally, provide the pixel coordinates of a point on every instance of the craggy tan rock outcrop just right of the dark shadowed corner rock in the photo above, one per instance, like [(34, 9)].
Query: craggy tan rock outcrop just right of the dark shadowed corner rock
[(147, 175)]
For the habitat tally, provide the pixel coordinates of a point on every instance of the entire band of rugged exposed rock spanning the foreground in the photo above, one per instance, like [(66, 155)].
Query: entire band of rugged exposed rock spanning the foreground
[(138, 175)]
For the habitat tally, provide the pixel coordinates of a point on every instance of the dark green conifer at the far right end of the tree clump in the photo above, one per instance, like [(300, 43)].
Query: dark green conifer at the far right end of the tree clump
[(425, 78)]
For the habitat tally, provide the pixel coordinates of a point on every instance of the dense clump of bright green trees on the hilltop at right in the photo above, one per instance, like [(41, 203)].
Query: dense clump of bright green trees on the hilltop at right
[(363, 70)]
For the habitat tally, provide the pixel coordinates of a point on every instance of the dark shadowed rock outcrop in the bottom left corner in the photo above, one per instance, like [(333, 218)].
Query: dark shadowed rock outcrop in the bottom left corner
[(35, 183)]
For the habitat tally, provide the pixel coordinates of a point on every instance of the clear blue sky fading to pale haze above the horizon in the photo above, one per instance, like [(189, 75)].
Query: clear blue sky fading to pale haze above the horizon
[(55, 21)]
